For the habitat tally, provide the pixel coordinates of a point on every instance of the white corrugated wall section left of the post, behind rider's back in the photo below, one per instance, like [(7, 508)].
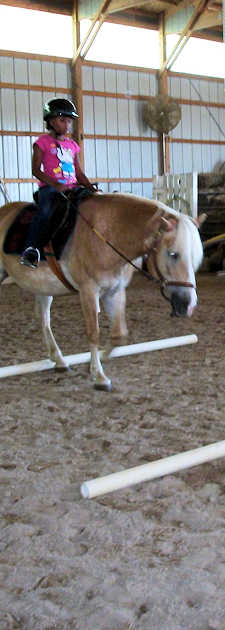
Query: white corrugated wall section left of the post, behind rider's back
[(25, 84)]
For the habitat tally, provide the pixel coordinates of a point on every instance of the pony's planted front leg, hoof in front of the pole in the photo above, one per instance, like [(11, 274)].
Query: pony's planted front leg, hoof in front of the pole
[(90, 306)]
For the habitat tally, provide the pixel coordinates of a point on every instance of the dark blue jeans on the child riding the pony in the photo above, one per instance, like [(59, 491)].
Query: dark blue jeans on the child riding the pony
[(37, 234)]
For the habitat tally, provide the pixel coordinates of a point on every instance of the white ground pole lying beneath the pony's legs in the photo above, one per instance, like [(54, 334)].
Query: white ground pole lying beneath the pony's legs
[(118, 351)]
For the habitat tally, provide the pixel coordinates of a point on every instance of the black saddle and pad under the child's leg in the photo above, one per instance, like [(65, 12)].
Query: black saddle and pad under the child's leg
[(61, 224)]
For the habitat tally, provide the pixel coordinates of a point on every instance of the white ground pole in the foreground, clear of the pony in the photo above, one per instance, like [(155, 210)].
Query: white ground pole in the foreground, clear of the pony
[(146, 472)]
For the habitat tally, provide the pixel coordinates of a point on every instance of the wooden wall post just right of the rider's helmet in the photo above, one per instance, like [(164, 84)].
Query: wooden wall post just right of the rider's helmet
[(76, 73)]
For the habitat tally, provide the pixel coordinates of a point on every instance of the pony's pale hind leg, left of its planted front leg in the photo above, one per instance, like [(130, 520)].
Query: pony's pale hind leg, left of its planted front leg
[(42, 310)]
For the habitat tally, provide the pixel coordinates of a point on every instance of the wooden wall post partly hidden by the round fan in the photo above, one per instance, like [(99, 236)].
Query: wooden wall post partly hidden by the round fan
[(164, 147)]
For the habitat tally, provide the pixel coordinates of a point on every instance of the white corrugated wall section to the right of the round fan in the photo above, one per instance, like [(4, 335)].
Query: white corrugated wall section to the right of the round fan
[(197, 142)]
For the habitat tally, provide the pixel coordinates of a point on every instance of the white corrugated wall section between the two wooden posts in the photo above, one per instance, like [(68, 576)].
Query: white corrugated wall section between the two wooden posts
[(118, 150)]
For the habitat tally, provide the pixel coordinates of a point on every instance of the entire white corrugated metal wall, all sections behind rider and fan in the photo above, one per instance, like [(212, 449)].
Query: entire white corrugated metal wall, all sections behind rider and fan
[(120, 153)]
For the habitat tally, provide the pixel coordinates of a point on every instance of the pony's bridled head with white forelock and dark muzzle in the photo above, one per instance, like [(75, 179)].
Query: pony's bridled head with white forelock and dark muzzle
[(174, 255)]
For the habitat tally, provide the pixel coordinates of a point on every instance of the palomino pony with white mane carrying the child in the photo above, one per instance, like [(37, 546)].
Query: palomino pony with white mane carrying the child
[(111, 230)]
